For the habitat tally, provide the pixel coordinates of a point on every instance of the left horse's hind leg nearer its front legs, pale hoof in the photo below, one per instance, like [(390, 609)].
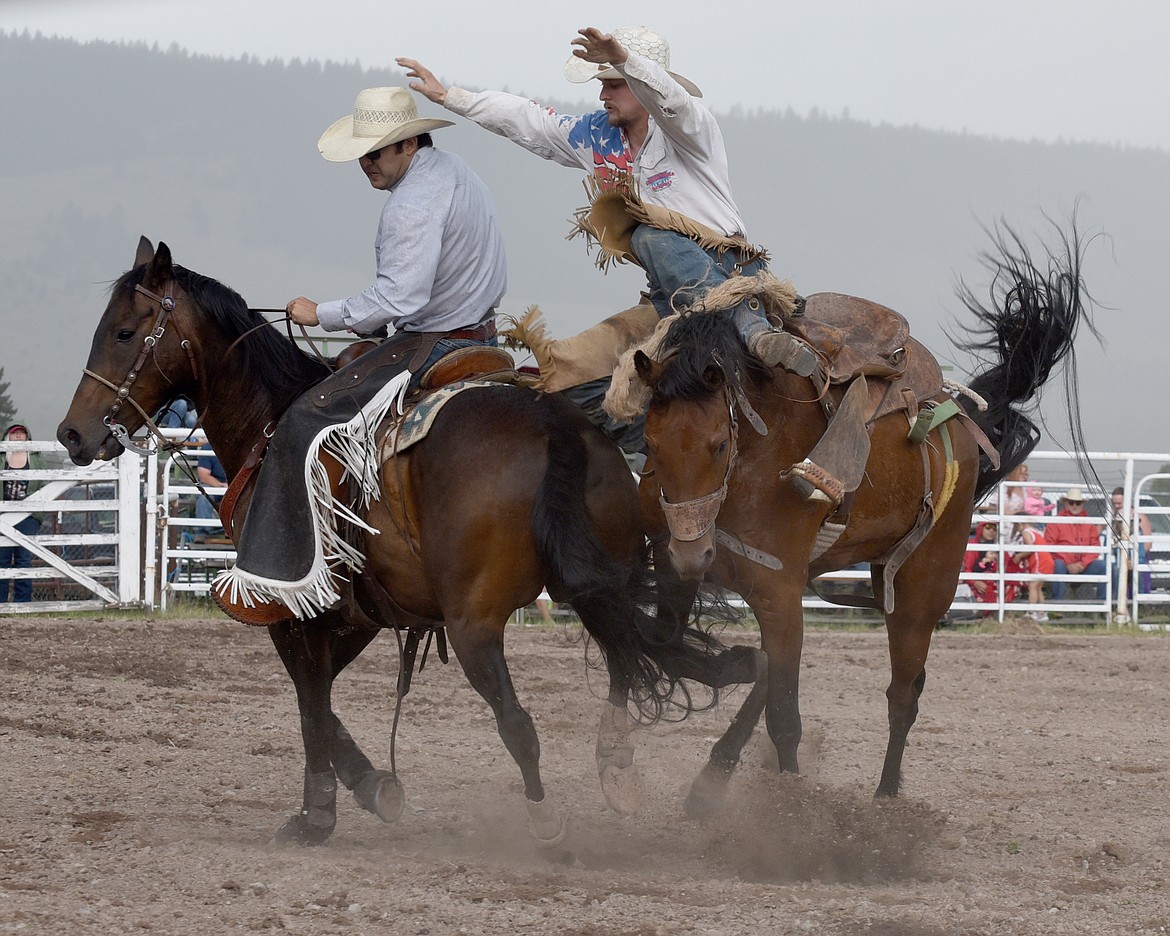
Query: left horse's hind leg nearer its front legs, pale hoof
[(479, 649)]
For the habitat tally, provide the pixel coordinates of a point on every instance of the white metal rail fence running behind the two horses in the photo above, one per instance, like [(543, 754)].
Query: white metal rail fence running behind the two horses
[(127, 534)]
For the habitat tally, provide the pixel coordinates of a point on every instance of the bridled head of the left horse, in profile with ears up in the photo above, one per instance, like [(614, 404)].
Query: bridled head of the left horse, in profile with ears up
[(139, 362)]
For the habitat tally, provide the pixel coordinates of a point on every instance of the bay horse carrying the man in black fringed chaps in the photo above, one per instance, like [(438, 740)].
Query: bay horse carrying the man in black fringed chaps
[(511, 492)]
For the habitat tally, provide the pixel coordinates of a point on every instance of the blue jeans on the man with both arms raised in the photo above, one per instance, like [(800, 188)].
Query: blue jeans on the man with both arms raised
[(679, 269)]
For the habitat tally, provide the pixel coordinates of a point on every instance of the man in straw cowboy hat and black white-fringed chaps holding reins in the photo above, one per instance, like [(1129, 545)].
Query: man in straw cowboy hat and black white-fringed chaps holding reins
[(442, 273)]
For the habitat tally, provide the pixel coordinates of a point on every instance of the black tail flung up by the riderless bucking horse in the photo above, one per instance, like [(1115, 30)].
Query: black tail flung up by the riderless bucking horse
[(1027, 333)]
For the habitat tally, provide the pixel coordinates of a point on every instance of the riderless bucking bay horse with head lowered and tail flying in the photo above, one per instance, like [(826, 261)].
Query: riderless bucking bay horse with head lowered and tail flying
[(710, 405)]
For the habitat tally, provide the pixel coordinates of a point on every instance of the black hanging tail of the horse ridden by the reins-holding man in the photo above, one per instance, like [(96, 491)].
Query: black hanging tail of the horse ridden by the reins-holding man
[(608, 595)]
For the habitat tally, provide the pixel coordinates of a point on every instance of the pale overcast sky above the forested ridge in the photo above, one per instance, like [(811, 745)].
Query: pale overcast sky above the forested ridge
[(1048, 70)]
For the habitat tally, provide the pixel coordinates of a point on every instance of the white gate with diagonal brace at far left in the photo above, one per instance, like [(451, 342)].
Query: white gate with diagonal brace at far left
[(87, 553)]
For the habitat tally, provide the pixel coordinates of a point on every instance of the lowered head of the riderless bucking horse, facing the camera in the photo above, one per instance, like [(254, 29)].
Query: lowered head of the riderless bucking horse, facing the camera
[(692, 432)]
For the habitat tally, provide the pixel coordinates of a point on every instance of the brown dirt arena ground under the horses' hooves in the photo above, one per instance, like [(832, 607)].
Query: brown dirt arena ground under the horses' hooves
[(146, 766)]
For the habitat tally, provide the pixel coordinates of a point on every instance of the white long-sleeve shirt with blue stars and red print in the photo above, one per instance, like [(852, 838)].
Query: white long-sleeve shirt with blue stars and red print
[(683, 164)]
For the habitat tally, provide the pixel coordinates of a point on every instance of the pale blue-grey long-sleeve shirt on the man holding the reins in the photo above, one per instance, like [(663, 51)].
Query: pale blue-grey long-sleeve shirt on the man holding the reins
[(439, 252)]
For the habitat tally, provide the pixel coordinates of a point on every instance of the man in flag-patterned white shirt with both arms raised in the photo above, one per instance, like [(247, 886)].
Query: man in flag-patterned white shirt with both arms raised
[(655, 130)]
